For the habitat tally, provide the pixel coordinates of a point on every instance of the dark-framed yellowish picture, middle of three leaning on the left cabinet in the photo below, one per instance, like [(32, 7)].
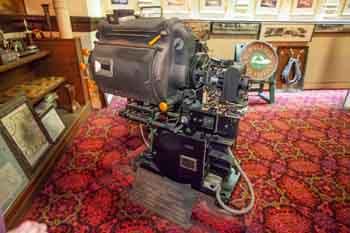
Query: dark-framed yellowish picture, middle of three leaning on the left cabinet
[(24, 131)]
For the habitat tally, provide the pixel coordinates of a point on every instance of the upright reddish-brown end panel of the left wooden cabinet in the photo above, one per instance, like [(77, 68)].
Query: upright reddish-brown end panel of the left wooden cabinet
[(64, 61)]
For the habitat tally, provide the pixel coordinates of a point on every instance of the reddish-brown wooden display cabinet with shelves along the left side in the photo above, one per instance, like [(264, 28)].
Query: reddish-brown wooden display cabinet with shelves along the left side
[(60, 58)]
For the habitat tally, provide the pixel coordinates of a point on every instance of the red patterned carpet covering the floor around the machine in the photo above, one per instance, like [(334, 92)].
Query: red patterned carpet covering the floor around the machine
[(296, 152)]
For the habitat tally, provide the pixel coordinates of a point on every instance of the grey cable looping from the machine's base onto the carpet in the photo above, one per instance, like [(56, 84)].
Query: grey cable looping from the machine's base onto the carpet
[(250, 187)]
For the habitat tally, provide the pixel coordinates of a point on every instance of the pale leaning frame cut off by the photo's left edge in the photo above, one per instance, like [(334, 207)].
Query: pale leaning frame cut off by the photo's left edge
[(13, 179)]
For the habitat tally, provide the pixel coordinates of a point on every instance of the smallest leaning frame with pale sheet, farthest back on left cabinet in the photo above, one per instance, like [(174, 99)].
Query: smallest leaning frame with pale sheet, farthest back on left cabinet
[(53, 124)]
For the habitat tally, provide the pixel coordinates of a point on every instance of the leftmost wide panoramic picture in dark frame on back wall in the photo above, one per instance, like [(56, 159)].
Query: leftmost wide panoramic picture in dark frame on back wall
[(235, 28)]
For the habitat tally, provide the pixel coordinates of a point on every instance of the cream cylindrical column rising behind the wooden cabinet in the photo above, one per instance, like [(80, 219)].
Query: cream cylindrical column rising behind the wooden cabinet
[(63, 19)]
